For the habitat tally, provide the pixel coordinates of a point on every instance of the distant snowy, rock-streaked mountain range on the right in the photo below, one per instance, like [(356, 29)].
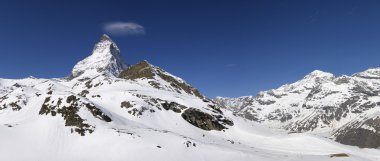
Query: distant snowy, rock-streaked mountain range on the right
[(344, 108)]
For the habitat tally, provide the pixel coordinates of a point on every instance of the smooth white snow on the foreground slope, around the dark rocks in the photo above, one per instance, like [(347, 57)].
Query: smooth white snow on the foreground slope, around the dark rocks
[(26, 135)]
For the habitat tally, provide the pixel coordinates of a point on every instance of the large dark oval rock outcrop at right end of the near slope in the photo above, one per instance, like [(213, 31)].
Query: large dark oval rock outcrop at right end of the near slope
[(205, 121)]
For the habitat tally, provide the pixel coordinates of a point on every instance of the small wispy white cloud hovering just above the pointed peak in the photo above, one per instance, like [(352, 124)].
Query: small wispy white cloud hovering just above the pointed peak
[(124, 28)]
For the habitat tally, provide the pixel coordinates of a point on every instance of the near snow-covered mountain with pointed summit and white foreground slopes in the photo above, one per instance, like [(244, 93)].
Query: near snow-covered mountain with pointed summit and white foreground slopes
[(107, 111)]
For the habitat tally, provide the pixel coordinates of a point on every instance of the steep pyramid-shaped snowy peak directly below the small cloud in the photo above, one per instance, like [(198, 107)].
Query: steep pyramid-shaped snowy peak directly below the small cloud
[(105, 58)]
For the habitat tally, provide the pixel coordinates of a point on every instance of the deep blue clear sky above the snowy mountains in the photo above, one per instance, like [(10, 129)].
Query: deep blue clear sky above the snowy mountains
[(224, 48)]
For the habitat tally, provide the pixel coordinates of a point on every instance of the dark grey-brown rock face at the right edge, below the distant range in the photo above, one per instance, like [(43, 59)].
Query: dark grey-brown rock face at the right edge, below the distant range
[(366, 135)]
